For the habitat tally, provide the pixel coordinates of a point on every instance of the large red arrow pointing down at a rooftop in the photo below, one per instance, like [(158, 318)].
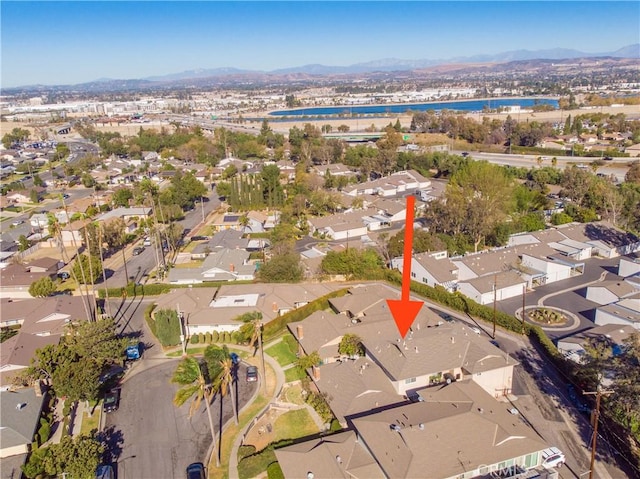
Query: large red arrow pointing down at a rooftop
[(404, 310)]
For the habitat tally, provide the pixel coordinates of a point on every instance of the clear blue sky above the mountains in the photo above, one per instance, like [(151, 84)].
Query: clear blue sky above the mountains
[(72, 42)]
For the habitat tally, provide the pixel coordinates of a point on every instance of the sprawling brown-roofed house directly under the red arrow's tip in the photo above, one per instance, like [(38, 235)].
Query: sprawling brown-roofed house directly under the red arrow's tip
[(431, 350)]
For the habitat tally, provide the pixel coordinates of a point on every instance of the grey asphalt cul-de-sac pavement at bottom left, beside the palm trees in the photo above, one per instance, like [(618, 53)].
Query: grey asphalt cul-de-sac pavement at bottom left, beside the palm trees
[(149, 437)]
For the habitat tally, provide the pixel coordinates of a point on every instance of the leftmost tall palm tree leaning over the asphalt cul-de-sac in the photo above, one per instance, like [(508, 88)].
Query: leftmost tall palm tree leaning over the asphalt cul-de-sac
[(195, 387)]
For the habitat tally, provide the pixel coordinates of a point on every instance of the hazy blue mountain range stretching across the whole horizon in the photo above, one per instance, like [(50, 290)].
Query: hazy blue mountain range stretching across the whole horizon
[(315, 72)]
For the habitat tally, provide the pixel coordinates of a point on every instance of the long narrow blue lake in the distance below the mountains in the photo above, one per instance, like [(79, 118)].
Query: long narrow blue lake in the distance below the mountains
[(466, 106)]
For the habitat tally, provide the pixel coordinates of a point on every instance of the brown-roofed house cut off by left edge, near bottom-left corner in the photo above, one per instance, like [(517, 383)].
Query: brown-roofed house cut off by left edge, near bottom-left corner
[(19, 420)]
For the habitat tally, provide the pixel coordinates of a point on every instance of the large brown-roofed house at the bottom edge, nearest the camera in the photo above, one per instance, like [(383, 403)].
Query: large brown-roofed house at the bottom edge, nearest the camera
[(463, 429)]
